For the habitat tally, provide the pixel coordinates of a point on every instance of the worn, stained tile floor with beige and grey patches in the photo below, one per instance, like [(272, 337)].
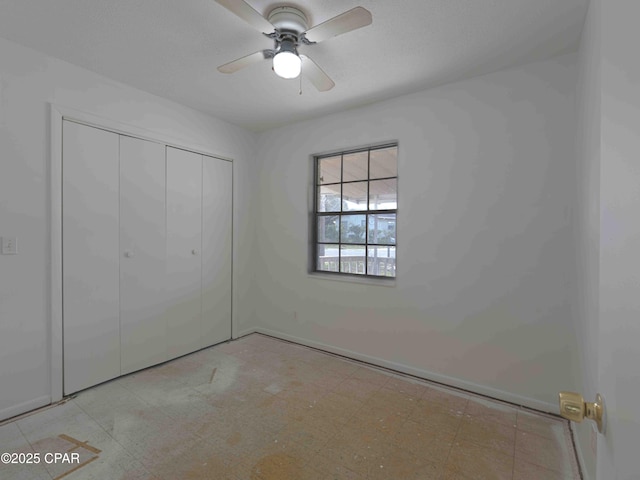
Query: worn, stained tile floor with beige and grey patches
[(259, 408)]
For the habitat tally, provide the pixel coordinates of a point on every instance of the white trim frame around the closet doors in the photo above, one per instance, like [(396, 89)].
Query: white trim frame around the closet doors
[(58, 113)]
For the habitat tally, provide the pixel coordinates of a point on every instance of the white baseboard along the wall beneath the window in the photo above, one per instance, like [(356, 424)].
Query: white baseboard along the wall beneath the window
[(417, 372)]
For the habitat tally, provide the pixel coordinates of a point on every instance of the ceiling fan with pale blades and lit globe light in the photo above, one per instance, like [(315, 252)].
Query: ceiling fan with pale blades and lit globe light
[(289, 28)]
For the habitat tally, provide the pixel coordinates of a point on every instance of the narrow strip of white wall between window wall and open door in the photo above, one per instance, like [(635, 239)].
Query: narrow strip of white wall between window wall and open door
[(587, 228)]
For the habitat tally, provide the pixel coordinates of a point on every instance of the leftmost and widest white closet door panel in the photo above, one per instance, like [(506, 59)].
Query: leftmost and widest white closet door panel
[(91, 332)]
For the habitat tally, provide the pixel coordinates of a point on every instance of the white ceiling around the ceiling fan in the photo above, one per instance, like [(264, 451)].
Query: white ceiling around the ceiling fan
[(172, 48)]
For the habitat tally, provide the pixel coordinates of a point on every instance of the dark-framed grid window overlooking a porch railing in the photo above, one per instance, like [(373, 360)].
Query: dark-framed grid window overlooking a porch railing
[(356, 204)]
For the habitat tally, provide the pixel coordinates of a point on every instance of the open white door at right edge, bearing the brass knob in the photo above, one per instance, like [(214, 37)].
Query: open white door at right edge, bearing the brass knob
[(619, 308)]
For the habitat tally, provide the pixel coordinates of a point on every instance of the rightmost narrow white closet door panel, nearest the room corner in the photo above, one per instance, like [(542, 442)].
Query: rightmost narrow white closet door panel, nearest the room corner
[(217, 188)]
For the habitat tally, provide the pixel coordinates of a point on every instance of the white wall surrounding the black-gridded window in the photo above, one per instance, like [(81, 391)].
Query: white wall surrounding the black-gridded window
[(487, 185)]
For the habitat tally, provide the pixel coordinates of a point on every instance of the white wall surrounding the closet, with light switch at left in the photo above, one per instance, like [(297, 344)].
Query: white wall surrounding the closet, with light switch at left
[(28, 82)]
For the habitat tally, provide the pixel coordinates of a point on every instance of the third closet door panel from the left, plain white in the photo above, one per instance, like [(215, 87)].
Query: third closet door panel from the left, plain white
[(184, 246)]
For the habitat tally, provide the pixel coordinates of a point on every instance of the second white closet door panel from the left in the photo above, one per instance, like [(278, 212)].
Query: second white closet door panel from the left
[(142, 254)]
